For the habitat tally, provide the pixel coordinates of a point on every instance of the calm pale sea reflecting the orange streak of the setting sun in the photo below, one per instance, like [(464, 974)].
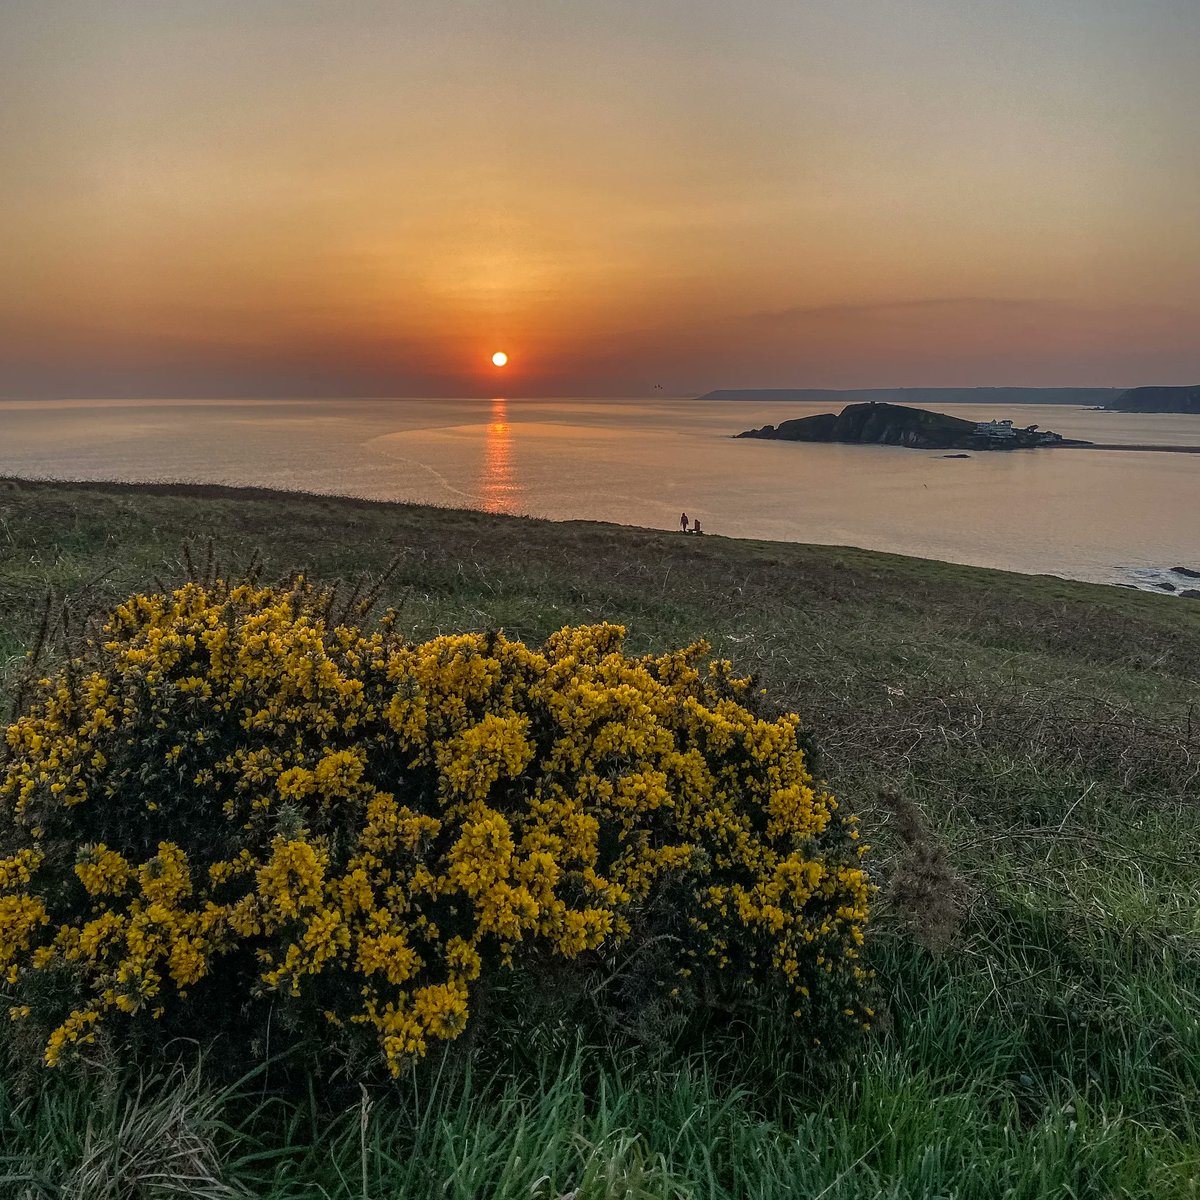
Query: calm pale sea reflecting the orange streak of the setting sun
[(1108, 517)]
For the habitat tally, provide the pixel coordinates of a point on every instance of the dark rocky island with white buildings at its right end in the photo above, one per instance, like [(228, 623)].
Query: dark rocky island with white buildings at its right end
[(875, 424)]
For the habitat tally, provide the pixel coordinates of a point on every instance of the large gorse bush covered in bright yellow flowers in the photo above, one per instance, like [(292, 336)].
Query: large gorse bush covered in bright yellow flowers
[(229, 808)]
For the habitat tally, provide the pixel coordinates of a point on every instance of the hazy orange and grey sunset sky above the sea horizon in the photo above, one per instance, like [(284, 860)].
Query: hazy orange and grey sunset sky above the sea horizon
[(290, 197)]
